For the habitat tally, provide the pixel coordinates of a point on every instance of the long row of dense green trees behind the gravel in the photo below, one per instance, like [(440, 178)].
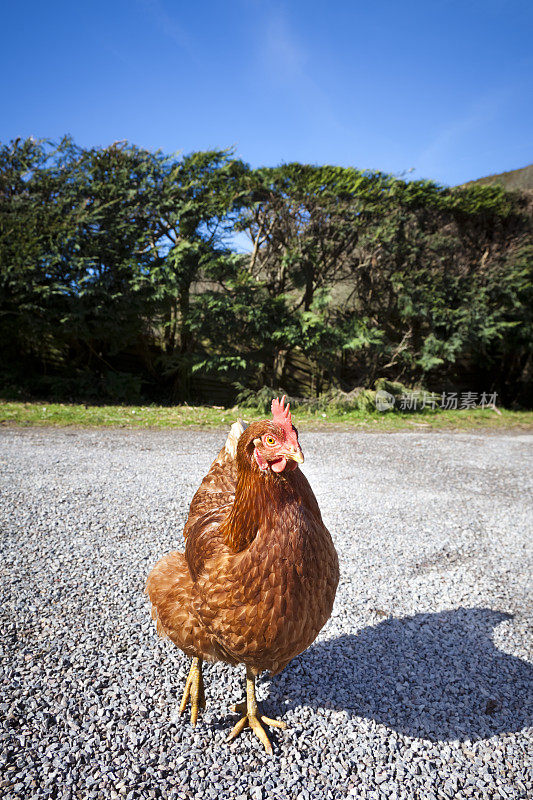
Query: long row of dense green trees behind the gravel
[(119, 277)]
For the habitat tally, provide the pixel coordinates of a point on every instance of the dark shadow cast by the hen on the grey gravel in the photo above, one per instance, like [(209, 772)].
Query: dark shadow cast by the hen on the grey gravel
[(436, 676)]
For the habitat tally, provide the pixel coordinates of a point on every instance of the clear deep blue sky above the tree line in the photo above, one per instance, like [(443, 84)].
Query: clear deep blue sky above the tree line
[(441, 87)]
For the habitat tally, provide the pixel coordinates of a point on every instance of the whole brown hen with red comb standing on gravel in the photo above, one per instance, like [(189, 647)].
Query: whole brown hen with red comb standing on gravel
[(258, 577)]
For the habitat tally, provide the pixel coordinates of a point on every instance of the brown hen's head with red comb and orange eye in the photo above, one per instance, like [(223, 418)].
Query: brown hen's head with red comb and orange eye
[(271, 446)]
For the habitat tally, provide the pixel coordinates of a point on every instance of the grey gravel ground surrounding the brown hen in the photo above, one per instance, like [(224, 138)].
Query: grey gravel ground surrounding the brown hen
[(418, 687)]
